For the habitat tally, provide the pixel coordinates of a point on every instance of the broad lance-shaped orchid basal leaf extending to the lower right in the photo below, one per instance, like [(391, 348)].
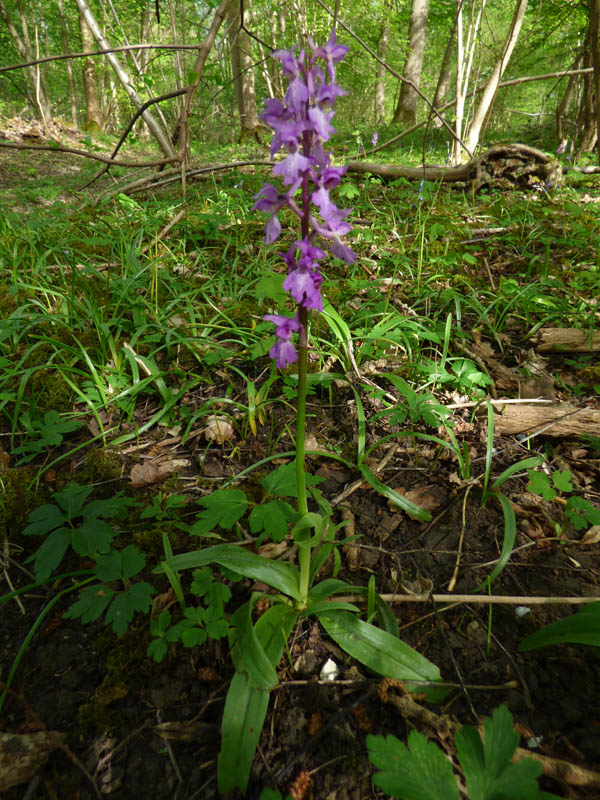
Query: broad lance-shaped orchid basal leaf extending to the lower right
[(382, 652)]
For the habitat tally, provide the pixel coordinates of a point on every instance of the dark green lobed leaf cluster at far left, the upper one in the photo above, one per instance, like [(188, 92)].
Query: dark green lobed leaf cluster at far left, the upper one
[(72, 521)]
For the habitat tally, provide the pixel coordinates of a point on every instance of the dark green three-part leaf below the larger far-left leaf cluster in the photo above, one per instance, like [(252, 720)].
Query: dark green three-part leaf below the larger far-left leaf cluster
[(119, 604)]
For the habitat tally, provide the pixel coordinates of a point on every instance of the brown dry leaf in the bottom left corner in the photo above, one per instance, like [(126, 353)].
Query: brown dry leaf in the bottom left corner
[(22, 755)]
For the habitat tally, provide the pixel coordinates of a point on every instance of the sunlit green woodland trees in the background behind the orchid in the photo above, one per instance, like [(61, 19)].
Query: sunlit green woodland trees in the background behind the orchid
[(406, 55)]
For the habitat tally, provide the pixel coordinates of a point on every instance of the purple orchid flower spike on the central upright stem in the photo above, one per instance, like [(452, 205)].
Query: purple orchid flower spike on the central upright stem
[(301, 125)]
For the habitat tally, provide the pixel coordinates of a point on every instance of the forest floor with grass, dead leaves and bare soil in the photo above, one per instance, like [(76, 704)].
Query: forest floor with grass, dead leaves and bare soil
[(462, 283)]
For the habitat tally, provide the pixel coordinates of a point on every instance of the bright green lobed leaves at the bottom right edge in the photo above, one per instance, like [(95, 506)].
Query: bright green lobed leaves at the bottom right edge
[(421, 771)]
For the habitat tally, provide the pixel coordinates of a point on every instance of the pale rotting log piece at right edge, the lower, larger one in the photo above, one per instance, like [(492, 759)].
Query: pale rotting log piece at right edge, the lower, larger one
[(557, 420)]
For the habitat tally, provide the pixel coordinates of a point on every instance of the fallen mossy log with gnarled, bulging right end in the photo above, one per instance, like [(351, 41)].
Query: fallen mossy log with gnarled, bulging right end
[(503, 166)]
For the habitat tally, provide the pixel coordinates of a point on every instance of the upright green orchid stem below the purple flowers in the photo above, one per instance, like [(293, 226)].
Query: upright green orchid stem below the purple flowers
[(303, 550)]
